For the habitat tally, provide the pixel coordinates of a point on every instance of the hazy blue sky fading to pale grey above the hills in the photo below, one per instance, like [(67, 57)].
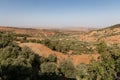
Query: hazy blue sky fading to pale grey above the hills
[(59, 13)]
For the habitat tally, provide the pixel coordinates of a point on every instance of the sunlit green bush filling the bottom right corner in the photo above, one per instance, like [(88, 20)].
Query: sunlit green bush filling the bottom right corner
[(107, 67)]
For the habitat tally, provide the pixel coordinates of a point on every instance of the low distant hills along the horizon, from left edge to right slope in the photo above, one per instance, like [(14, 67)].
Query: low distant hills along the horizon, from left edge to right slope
[(42, 32)]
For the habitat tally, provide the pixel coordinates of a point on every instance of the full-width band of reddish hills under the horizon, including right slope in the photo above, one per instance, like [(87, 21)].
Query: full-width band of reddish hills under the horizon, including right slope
[(109, 34)]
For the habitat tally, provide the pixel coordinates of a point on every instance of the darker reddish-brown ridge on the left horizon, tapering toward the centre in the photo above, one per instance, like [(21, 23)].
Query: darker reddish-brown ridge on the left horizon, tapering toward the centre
[(28, 31)]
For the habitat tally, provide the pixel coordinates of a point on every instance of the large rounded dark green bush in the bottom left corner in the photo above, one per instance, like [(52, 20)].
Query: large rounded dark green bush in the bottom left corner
[(16, 63)]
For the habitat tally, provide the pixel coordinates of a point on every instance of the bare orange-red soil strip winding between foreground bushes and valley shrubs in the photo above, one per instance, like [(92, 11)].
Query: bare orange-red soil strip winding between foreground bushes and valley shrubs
[(44, 51)]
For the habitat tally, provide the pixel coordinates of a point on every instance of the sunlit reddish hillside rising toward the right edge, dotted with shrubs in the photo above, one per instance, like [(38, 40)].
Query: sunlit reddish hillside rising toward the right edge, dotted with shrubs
[(109, 34)]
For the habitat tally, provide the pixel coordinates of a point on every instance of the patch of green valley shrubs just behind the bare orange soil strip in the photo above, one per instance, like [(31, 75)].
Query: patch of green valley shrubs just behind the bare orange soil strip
[(65, 46)]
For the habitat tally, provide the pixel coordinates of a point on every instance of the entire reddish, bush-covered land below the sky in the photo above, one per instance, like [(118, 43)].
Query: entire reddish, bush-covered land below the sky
[(74, 55)]
